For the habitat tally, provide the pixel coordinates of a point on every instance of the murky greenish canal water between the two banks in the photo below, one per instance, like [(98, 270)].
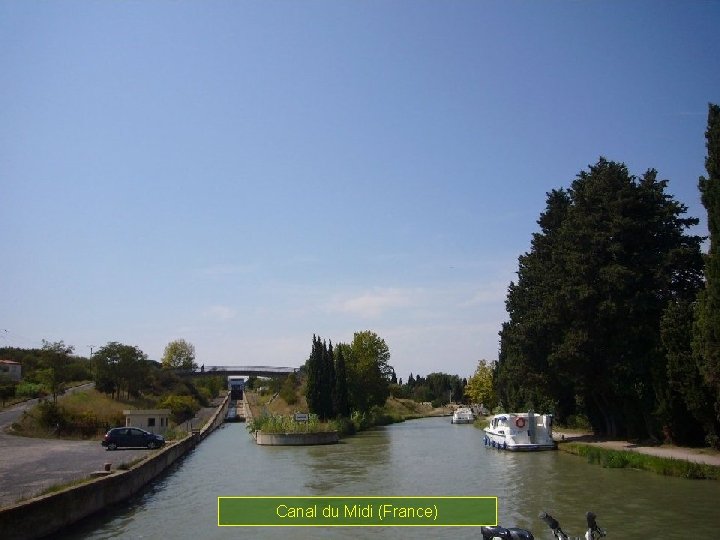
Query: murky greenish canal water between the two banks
[(420, 457)]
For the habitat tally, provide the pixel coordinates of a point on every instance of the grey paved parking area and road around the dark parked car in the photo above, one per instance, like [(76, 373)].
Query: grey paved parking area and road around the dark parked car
[(28, 466)]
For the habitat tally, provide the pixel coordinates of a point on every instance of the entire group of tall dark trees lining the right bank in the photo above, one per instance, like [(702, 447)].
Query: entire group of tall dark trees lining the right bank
[(615, 314)]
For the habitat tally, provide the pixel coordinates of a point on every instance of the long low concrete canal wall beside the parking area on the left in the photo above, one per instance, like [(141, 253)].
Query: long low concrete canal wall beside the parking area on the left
[(42, 516)]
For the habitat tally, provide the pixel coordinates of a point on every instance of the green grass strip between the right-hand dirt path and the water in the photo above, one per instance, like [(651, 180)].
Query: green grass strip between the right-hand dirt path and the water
[(619, 459)]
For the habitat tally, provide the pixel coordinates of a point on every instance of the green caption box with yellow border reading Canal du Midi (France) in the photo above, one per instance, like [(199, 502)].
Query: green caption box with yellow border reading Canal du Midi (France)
[(356, 511)]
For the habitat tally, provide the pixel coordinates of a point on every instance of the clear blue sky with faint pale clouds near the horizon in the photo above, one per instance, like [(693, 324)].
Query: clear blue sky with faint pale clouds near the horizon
[(245, 174)]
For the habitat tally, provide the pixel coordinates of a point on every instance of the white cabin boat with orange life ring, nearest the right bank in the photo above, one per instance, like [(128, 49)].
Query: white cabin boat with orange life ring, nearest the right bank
[(520, 431)]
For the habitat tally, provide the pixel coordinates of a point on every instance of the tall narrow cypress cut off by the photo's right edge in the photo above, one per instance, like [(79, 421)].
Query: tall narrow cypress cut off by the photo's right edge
[(706, 344)]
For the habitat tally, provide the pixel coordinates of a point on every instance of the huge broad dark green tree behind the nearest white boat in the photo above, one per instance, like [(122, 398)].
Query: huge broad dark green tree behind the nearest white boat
[(584, 334)]
